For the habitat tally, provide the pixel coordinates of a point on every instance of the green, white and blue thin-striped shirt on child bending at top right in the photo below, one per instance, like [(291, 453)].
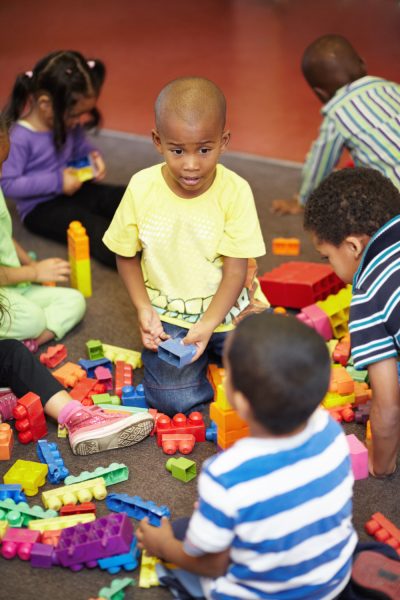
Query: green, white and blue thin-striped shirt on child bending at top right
[(364, 117)]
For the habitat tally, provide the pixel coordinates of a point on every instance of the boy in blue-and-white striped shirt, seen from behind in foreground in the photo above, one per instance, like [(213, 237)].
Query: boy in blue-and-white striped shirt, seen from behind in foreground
[(274, 512)]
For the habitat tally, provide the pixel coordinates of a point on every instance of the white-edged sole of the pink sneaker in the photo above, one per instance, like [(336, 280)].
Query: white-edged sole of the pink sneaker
[(116, 435)]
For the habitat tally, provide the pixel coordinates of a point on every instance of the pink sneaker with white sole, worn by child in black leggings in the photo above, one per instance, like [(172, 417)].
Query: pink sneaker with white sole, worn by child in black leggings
[(91, 430)]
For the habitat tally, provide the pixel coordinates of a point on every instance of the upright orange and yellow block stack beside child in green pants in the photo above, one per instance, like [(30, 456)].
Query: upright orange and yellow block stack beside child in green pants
[(79, 258)]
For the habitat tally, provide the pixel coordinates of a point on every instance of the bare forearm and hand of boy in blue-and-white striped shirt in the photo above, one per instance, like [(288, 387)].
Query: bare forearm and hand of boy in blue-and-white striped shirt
[(161, 542)]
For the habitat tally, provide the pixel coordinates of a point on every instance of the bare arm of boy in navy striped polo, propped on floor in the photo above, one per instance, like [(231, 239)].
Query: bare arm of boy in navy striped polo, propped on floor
[(385, 416)]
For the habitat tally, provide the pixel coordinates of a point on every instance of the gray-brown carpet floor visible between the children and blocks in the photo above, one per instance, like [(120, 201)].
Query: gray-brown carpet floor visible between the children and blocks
[(111, 318)]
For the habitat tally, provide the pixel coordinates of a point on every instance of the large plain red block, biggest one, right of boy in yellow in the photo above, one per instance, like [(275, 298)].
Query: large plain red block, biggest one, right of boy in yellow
[(298, 284)]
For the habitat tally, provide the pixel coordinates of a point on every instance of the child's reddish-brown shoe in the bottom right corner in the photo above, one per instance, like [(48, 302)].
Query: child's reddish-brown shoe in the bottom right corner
[(377, 575)]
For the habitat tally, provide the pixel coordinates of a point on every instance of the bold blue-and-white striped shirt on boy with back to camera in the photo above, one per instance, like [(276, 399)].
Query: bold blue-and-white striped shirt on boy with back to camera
[(284, 508)]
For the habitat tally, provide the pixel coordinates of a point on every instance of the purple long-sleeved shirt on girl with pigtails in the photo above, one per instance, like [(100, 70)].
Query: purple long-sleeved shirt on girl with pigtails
[(33, 171)]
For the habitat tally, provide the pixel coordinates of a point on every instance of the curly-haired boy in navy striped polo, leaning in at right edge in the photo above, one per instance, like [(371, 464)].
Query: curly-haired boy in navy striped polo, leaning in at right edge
[(354, 220)]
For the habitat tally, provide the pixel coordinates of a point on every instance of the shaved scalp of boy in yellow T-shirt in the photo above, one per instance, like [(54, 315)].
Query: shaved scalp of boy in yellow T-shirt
[(191, 99)]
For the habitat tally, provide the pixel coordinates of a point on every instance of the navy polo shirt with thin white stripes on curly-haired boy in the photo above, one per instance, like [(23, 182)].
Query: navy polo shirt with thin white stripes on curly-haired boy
[(374, 321)]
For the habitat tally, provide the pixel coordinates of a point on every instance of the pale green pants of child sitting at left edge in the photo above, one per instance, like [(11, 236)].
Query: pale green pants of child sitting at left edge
[(34, 308)]
